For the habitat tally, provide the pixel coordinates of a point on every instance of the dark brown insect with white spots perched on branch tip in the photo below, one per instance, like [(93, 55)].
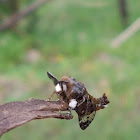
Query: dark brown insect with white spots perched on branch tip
[(73, 92)]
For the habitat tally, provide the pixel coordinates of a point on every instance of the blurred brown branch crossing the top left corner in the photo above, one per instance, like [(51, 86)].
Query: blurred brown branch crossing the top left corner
[(11, 21)]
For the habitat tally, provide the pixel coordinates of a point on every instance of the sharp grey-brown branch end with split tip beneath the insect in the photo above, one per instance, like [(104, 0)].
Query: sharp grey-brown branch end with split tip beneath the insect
[(15, 114)]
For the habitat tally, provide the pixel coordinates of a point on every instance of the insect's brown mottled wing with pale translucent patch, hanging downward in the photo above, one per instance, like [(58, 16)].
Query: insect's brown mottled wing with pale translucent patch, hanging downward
[(86, 112)]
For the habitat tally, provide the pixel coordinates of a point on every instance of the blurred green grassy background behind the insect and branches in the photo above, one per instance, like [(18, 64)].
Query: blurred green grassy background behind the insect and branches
[(68, 37)]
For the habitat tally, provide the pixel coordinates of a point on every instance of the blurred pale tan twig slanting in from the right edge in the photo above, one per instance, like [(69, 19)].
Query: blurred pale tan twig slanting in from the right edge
[(126, 34)]
